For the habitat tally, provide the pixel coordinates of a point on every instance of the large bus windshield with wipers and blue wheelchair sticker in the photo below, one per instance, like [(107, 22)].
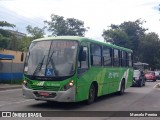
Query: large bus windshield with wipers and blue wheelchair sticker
[(51, 58)]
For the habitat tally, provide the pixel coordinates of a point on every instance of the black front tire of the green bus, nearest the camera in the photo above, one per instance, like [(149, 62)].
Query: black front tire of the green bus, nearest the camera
[(91, 94)]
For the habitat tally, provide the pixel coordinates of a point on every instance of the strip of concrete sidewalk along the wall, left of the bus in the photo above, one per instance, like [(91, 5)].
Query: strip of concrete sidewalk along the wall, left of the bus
[(9, 86)]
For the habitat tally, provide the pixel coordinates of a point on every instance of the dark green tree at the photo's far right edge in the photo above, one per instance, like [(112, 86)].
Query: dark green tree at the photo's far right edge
[(149, 50)]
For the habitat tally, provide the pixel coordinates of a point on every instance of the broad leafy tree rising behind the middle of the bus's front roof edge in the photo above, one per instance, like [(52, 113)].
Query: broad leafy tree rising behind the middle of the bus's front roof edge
[(70, 26)]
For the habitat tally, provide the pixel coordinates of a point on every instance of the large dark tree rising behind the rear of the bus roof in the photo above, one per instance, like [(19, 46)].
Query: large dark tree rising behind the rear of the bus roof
[(127, 34)]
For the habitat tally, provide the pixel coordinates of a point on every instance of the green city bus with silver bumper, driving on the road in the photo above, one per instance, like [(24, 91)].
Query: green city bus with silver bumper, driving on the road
[(73, 69)]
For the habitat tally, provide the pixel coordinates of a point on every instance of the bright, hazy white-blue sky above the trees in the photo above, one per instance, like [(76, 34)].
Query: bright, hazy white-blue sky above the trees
[(96, 14)]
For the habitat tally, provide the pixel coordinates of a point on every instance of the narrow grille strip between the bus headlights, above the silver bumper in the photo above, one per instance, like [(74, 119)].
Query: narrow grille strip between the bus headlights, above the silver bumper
[(48, 88)]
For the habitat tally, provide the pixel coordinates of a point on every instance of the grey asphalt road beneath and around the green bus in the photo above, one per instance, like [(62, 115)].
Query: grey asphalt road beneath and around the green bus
[(135, 99)]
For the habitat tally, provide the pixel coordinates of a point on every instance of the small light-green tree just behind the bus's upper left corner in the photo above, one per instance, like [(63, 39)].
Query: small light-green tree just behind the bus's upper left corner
[(35, 32)]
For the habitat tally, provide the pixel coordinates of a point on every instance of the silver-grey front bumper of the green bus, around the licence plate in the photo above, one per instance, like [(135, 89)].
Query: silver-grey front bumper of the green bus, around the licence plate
[(59, 96)]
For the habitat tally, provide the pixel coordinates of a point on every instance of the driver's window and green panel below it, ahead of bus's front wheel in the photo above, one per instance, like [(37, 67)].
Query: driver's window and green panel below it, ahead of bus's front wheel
[(82, 72)]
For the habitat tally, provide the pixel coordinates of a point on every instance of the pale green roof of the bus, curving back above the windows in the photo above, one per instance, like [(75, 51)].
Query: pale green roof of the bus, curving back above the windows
[(83, 39)]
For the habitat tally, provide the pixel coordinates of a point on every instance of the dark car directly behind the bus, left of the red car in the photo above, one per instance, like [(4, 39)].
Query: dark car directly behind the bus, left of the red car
[(138, 78)]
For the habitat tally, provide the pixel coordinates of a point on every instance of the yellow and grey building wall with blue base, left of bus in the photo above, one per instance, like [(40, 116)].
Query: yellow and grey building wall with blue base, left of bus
[(11, 69)]
